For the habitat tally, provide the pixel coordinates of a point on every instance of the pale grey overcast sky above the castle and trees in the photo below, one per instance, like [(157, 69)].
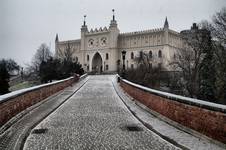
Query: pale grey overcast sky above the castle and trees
[(25, 24)]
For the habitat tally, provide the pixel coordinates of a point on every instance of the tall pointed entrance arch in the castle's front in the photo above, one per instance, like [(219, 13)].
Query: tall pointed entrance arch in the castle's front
[(97, 63)]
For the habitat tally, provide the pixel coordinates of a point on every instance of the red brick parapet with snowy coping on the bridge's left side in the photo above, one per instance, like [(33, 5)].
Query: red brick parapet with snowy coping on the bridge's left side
[(15, 102)]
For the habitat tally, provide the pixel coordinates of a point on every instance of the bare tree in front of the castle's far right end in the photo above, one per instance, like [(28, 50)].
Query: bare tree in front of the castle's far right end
[(188, 61)]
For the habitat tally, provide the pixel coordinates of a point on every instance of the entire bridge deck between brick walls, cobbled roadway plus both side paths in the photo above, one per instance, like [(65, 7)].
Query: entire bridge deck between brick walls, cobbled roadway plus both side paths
[(95, 114)]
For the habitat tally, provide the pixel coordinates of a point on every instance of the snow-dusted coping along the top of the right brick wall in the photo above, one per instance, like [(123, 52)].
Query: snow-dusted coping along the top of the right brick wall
[(179, 98)]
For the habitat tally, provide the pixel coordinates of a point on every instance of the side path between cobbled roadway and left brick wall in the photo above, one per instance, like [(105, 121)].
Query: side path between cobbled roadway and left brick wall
[(13, 138)]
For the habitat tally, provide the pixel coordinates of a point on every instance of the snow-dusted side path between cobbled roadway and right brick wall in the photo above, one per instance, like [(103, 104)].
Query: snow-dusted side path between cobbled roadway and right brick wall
[(181, 137)]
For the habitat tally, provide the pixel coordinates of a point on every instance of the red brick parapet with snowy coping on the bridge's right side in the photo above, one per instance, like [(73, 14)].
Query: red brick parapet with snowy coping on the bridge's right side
[(205, 117)]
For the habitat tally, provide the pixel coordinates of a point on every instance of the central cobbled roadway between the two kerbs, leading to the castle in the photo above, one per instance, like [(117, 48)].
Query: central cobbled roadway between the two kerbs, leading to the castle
[(94, 118)]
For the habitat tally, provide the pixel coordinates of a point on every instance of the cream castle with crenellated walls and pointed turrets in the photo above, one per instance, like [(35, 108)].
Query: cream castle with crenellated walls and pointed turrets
[(100, 50)]
